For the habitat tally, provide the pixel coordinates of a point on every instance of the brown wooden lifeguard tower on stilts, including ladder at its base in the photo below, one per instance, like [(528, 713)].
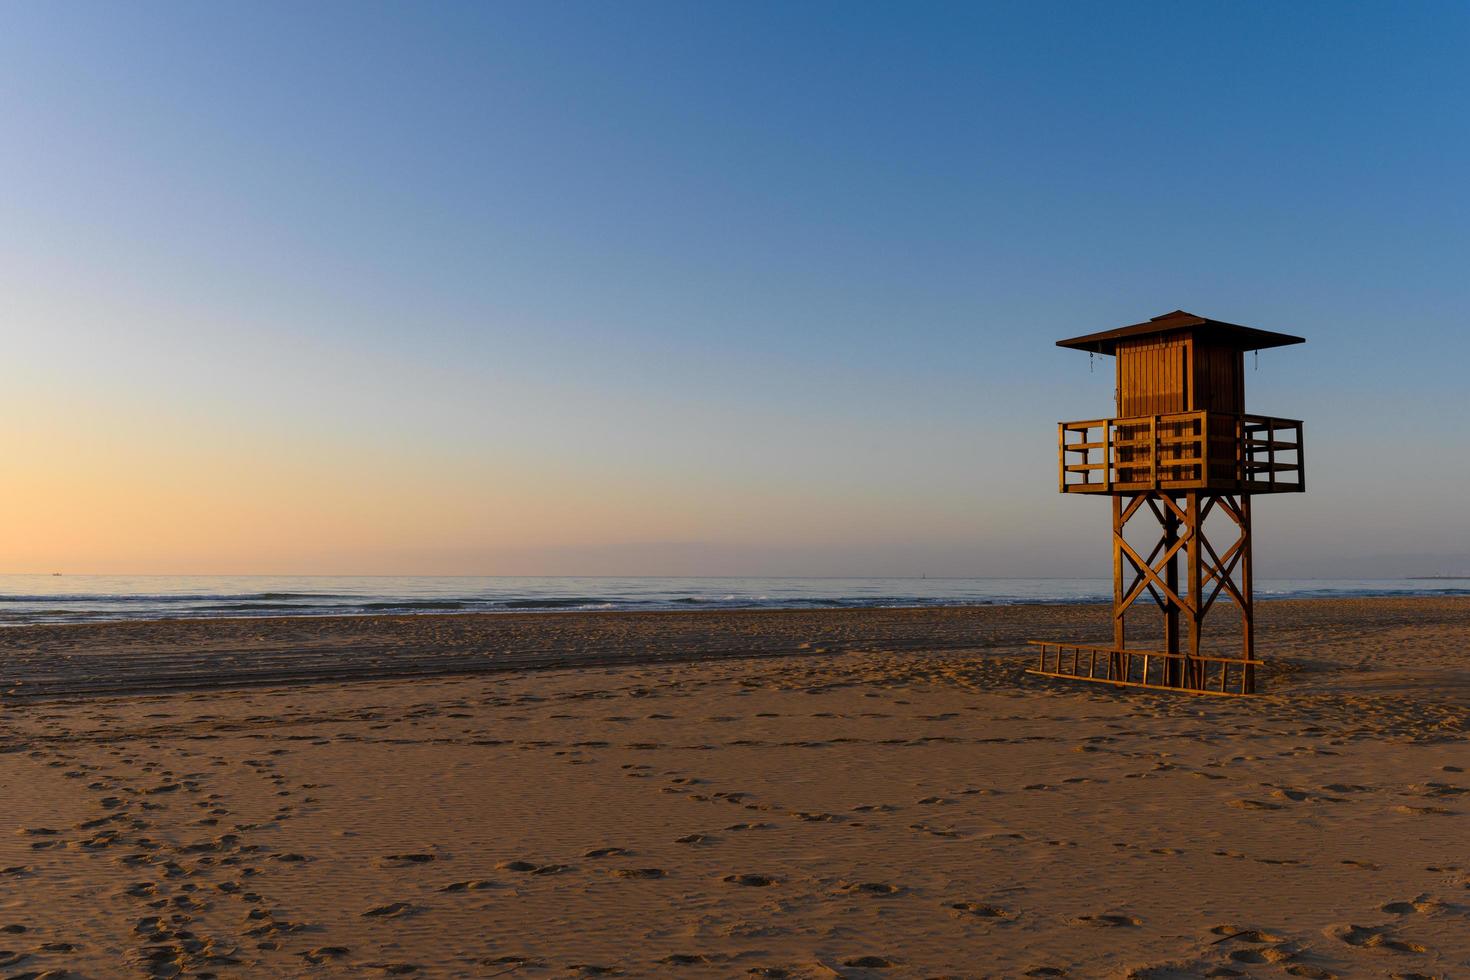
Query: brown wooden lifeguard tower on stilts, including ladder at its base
[(1181, 449)]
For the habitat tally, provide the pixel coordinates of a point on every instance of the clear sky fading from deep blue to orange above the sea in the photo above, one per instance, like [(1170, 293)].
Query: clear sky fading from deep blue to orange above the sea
[(708, 289)]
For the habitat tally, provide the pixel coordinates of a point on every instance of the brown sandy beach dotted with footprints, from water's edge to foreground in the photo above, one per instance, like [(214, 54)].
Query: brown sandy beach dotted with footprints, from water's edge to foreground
[(858, 794)]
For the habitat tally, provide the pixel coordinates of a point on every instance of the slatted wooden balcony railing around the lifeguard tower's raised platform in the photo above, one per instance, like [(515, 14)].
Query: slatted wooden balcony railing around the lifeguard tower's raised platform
[(1187, 450)]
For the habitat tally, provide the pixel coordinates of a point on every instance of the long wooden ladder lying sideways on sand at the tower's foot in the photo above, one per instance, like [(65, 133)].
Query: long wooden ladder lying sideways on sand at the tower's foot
[(1146, 669)]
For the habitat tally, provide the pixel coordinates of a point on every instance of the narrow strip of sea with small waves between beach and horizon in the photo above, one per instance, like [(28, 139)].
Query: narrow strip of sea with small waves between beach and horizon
[(71, 599)]
